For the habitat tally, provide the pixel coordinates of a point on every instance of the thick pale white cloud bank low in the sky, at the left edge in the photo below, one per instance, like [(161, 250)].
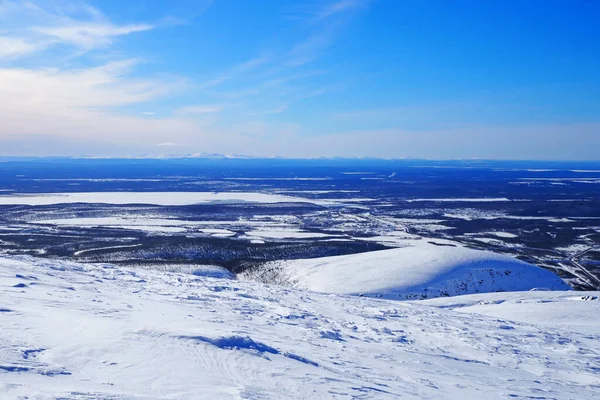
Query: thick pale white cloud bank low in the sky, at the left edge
[(80, 103)]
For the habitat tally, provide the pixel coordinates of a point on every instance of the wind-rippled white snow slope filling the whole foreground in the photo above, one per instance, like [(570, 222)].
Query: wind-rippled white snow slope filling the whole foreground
[(72, 331)]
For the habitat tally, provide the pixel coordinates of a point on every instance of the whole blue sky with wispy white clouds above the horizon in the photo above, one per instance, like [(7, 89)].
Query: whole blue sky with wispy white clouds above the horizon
[(438, 79)]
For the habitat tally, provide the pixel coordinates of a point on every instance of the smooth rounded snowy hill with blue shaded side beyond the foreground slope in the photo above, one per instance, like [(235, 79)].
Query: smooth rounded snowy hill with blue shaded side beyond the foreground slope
[(416, 272)]
